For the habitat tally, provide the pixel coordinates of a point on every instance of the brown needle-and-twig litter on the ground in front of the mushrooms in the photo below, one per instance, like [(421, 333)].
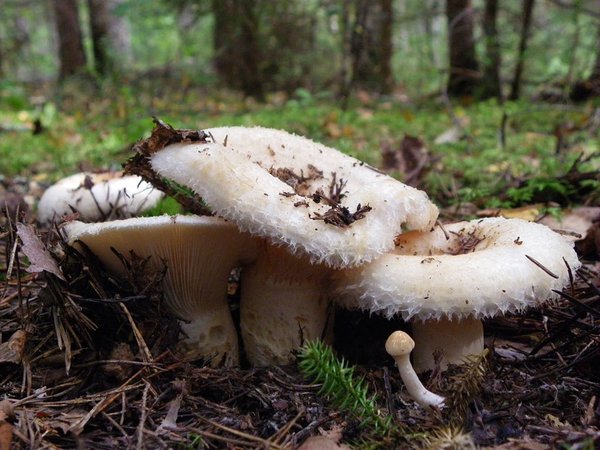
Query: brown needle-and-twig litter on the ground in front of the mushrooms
[(86, 362)]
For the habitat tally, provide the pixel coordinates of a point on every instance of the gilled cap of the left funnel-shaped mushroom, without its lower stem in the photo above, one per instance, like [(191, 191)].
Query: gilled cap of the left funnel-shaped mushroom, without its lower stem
[(199, 252)]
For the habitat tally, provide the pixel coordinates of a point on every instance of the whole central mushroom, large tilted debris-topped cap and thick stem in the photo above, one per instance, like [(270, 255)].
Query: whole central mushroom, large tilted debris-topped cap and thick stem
[(313, 201)]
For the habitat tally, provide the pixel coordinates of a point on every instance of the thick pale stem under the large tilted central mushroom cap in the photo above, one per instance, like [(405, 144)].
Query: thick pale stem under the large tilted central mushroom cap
[(284, 303)]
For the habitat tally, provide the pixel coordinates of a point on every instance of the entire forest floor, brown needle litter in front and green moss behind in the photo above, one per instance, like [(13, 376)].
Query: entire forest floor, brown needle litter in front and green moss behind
[(87, 362)]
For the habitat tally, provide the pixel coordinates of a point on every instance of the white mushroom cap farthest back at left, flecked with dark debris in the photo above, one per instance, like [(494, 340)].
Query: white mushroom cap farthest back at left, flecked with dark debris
[(108, 195)]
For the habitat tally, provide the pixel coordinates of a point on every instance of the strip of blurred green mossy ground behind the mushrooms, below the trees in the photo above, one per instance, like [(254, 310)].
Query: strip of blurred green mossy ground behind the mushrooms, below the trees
[(95, 128)]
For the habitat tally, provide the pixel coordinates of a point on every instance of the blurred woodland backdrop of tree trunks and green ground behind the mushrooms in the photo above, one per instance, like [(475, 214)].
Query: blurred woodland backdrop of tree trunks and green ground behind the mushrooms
[(312, 67)]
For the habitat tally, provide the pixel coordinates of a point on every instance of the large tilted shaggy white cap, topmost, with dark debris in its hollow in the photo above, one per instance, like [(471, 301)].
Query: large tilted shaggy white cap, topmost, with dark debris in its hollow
[(267, 183)]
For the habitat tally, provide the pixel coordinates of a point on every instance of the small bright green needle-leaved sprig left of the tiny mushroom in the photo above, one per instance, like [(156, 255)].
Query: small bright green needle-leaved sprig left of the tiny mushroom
[(340, 386)]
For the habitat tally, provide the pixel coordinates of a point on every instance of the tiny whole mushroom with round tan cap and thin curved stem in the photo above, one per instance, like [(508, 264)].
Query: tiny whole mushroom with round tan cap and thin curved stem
[(399, 346)]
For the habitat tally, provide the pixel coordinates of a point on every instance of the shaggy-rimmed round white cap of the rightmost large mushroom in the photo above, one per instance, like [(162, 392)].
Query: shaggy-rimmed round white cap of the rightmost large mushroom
[(485, 267)]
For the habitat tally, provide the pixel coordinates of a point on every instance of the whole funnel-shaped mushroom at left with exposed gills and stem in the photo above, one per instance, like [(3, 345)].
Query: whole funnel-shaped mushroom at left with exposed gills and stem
[(199, 252)]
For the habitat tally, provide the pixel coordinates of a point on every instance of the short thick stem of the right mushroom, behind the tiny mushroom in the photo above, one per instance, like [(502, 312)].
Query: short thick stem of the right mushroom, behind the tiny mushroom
[(452, 339)]
